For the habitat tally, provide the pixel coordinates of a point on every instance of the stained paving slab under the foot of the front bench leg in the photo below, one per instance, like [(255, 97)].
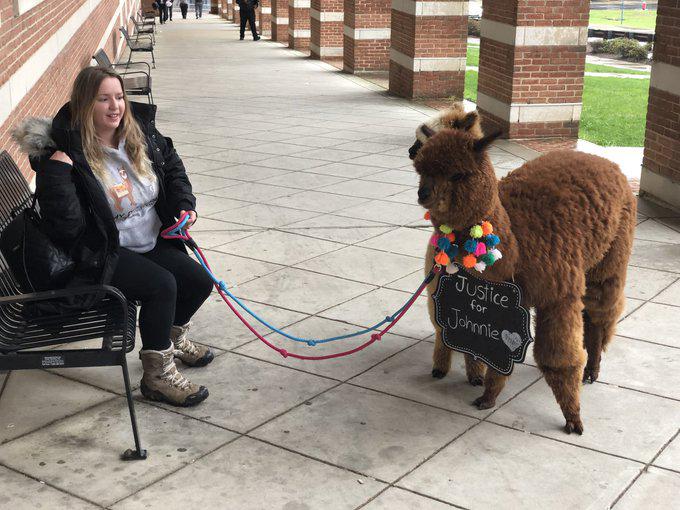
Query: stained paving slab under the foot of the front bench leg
[(81, 454)]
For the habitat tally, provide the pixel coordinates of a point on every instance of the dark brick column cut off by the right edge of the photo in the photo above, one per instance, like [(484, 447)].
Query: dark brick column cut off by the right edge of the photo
[(661, 161)]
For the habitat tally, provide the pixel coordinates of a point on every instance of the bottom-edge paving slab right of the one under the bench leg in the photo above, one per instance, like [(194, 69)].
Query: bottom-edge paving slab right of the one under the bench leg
[(251, 475)]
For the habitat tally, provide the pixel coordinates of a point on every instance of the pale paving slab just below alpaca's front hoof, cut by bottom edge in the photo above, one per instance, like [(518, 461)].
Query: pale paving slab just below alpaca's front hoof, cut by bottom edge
[(505, 468)]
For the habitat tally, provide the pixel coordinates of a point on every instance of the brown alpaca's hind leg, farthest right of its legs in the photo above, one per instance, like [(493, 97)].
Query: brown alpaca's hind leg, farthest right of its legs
[(604, 299)]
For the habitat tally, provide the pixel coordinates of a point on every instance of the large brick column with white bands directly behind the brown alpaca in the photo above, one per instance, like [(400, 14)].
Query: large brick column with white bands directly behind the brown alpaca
[(531, 65)]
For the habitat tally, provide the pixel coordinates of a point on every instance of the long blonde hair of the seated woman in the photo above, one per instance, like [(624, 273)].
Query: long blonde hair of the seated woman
[(83, 97)]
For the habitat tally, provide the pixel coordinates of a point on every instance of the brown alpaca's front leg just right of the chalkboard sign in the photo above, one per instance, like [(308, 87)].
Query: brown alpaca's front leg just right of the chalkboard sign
[(560, 356)]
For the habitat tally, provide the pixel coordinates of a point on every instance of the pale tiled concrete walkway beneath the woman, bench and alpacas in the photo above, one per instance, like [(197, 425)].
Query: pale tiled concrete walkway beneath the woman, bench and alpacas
[(307, 203)]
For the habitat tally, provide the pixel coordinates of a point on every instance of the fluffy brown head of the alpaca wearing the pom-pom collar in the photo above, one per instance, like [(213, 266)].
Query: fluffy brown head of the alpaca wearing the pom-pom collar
[(457, 181)]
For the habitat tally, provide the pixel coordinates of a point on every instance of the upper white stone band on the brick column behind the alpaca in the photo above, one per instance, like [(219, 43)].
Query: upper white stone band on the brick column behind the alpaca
[(534, 36)]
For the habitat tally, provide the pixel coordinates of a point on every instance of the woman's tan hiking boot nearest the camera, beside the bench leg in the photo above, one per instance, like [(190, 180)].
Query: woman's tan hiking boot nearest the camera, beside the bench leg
[(163, 382)]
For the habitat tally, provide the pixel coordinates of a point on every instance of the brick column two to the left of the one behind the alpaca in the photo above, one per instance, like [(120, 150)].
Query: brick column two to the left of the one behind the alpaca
[(367, 35)]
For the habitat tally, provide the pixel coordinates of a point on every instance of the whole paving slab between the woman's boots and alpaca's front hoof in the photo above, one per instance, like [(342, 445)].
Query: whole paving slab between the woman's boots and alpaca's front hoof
[(376, 434)]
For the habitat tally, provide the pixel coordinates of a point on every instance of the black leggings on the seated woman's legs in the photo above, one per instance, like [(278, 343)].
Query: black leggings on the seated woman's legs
[(168, 283)]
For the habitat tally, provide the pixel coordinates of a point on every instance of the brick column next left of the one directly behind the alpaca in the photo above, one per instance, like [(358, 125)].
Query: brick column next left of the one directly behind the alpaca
[(429, 44)]
